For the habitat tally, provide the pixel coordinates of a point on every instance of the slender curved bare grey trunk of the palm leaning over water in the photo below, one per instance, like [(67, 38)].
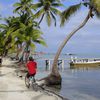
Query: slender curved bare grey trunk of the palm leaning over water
[(54, 66)]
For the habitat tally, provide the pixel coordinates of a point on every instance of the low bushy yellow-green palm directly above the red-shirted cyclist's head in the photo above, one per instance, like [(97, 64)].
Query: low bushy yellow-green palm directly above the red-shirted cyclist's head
[(32, 35)]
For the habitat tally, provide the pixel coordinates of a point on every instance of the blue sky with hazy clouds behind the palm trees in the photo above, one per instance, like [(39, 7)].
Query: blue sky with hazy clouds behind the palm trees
[(85, 42)]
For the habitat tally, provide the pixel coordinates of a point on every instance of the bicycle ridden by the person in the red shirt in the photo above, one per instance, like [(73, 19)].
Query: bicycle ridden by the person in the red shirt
[(31, 82)]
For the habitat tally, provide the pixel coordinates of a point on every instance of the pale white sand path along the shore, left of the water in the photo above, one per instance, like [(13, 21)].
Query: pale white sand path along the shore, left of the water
[(13, 88)]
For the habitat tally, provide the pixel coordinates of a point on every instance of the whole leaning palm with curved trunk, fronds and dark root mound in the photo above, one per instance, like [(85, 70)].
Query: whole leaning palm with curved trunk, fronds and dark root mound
[(54, 77)]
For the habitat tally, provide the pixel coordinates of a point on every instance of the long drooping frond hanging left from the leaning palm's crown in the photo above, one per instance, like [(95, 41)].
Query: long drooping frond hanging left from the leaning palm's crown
[(68, 12)]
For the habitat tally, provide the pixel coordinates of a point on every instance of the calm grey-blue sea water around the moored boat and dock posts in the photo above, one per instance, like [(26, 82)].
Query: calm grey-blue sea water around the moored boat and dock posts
[(77, 84)]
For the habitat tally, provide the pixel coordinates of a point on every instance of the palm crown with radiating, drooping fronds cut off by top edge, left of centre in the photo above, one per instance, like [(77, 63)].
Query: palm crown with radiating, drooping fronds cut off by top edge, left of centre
[(47, 8)]
